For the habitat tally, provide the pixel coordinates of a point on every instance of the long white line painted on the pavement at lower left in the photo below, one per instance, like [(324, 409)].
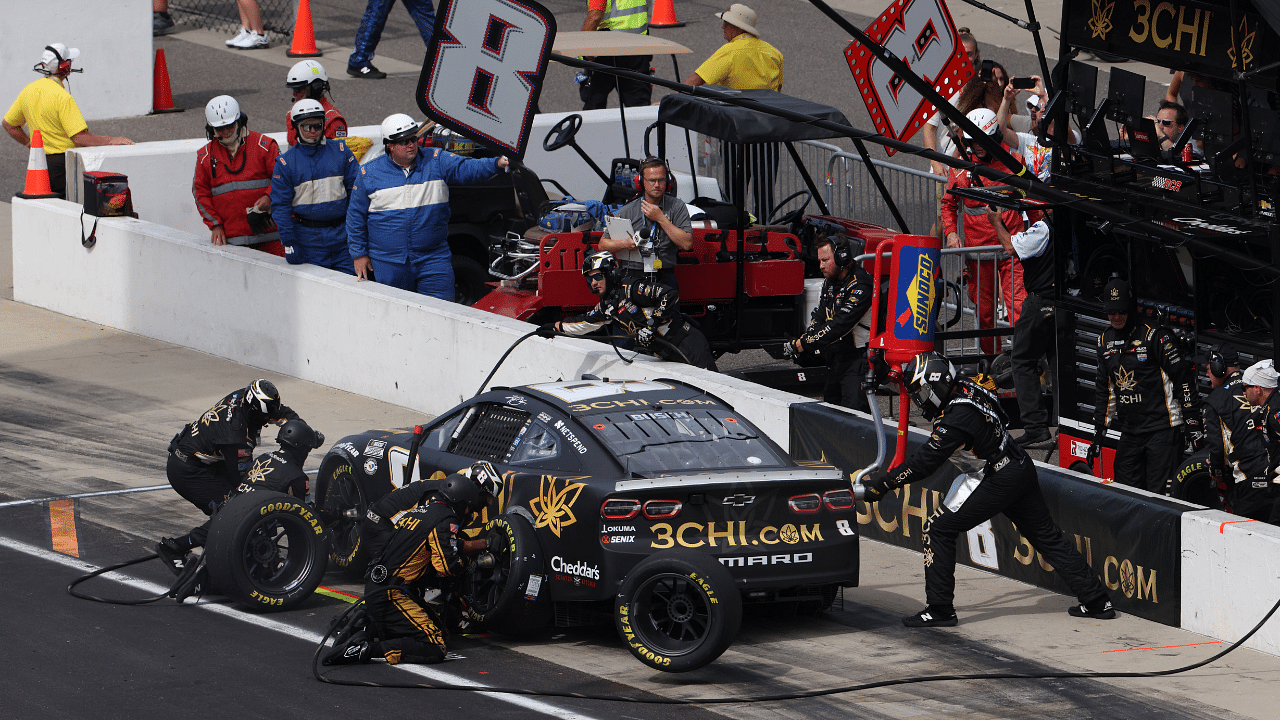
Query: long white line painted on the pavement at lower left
[(286, 630)]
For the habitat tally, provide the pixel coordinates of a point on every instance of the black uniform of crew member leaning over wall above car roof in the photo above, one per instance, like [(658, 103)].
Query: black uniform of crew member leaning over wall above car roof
[(634, 306)]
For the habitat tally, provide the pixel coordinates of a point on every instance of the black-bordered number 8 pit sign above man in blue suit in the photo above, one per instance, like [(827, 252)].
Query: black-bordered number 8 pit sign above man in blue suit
[(484, 70)]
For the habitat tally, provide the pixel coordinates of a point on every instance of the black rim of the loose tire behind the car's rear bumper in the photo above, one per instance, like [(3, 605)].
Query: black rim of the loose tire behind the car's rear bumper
[(671, 614)]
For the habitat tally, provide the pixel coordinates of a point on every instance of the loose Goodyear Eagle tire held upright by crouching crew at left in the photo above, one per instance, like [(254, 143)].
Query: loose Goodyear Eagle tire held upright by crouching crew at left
[(267, 550)]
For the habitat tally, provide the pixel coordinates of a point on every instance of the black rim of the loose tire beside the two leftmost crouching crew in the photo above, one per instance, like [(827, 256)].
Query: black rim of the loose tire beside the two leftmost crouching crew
[(277, 557)]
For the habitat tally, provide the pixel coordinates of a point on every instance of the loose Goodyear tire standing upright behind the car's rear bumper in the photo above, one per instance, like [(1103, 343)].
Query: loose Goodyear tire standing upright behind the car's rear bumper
[(678, 610)]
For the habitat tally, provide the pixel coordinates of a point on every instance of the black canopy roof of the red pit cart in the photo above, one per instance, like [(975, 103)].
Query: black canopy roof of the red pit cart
[(739, 125)]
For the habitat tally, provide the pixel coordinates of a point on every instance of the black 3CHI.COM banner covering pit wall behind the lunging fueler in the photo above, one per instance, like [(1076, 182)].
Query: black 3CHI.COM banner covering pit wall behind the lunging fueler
[(1133, 543)]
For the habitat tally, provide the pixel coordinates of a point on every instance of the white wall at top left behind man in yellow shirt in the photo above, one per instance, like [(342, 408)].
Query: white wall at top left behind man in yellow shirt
[(115, 39)]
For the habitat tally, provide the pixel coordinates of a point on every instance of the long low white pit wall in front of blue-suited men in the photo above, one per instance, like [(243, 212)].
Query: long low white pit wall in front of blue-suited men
[(309, 322)]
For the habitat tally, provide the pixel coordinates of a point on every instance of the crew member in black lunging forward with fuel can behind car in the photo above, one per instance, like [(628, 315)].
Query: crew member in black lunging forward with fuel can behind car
[(967, 414)]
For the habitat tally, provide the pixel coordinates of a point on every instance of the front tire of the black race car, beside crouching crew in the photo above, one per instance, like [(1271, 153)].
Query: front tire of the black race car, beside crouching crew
[(342, 505)]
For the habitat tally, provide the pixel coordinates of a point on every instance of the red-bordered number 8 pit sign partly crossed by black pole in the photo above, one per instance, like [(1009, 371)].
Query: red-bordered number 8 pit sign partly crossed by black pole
[(922, 34)]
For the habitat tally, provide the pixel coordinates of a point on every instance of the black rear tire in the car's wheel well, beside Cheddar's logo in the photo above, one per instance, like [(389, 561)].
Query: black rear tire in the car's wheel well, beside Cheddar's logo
[(499, 598)]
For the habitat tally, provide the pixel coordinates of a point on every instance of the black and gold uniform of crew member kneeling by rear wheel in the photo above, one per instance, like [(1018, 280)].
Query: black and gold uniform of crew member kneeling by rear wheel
[(413, 537)]
